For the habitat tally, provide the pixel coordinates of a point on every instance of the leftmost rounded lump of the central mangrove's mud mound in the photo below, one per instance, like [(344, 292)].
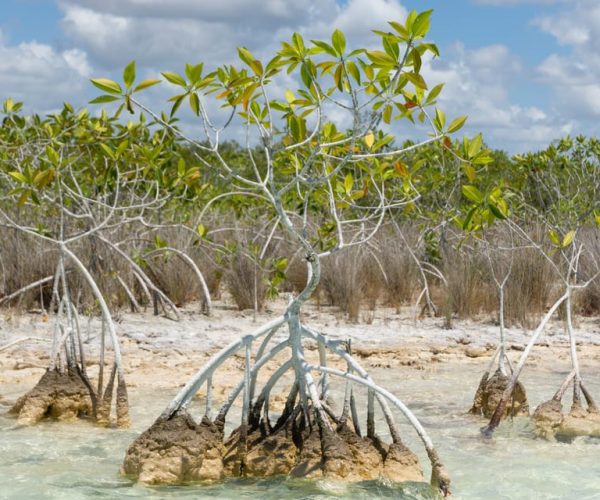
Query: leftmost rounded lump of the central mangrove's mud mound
[(176, 451)]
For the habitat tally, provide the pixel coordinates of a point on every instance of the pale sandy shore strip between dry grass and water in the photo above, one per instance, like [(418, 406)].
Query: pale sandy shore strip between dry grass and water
[(160, 353)]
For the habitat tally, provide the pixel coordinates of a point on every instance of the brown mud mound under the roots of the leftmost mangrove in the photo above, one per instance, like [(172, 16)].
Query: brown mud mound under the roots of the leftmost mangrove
[(60, 396)]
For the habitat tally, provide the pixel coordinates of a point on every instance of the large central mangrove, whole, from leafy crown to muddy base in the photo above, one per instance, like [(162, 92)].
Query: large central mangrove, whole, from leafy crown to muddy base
[(312, 173)]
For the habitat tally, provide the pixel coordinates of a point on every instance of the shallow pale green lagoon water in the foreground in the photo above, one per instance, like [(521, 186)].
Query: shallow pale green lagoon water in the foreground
[(73, 461)]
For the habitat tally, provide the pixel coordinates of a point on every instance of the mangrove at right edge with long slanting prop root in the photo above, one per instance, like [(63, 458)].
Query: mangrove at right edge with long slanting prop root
[(564, 205)]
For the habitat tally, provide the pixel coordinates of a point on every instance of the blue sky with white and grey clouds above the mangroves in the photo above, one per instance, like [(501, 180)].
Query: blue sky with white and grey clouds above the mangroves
[(525, 71)]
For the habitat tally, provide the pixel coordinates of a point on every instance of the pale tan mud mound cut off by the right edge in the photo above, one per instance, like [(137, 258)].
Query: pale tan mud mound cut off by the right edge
[(551, 423)]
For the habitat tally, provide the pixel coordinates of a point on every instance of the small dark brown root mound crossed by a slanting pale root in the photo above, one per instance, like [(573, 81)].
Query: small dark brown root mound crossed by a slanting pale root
[(489, 393)]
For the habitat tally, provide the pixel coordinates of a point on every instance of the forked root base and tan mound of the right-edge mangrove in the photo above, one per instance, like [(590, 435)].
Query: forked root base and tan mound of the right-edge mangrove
[(551, 423)]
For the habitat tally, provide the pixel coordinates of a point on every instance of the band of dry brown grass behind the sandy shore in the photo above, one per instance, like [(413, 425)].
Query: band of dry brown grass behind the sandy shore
[(356, 280)]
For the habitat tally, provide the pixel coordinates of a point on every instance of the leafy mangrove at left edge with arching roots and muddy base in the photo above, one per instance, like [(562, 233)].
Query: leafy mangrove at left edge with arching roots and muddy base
[(75, 180)]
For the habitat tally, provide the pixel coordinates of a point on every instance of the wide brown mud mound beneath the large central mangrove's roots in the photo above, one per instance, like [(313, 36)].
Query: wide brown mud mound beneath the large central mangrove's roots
[(180, 451)]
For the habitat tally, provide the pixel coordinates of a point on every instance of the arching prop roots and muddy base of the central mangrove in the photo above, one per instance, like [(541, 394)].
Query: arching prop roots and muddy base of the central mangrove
[(310, 439)]
